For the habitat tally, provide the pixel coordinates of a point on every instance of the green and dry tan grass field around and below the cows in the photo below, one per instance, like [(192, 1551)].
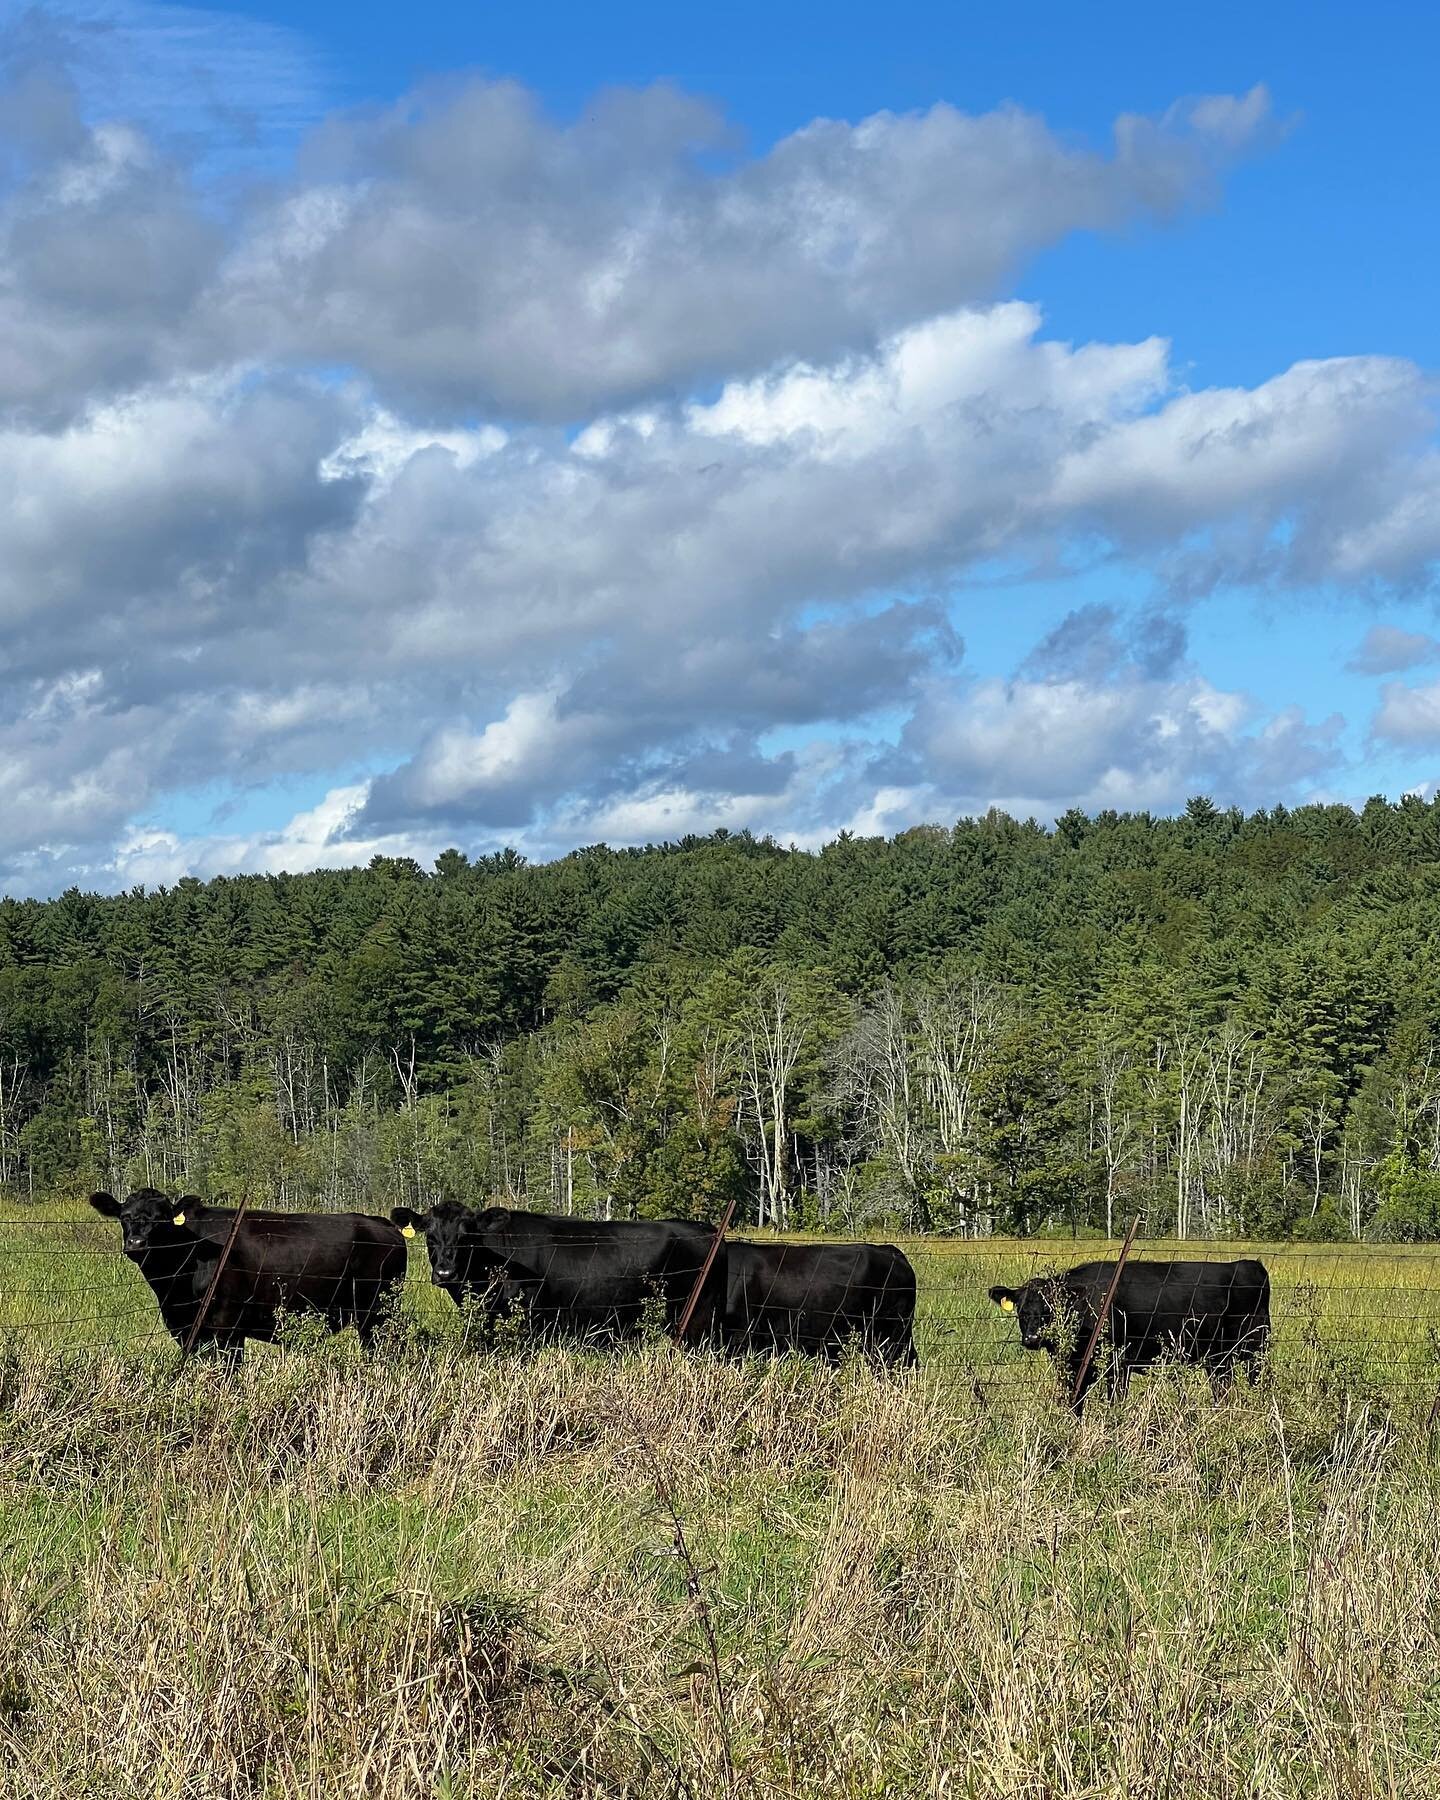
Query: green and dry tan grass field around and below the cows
[(460, 1578)]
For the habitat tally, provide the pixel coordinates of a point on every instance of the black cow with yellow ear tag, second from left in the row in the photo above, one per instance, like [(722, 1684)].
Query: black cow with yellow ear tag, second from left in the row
[(573, 1279)]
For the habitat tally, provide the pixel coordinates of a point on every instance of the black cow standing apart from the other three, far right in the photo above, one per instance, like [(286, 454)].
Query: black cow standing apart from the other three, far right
[(1216, 1315)]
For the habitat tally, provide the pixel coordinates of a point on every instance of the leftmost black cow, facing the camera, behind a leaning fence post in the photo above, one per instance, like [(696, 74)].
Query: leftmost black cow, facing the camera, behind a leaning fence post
[(343, 1266)]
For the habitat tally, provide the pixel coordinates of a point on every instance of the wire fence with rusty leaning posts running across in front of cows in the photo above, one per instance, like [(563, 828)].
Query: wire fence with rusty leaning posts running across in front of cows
[(1363, 1318)]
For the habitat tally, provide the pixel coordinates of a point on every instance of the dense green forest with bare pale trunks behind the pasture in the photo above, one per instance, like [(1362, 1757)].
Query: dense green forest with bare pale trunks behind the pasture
[(1225, 1021)]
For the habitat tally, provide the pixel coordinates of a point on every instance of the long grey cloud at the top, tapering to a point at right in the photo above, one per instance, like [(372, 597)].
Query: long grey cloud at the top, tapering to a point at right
[(469, 253)]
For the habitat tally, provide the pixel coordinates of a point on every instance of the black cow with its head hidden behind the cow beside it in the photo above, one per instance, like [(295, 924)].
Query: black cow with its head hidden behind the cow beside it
[(820, 1299)]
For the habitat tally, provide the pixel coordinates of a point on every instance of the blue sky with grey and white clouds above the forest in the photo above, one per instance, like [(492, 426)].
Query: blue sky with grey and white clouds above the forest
[(472, 426)]
